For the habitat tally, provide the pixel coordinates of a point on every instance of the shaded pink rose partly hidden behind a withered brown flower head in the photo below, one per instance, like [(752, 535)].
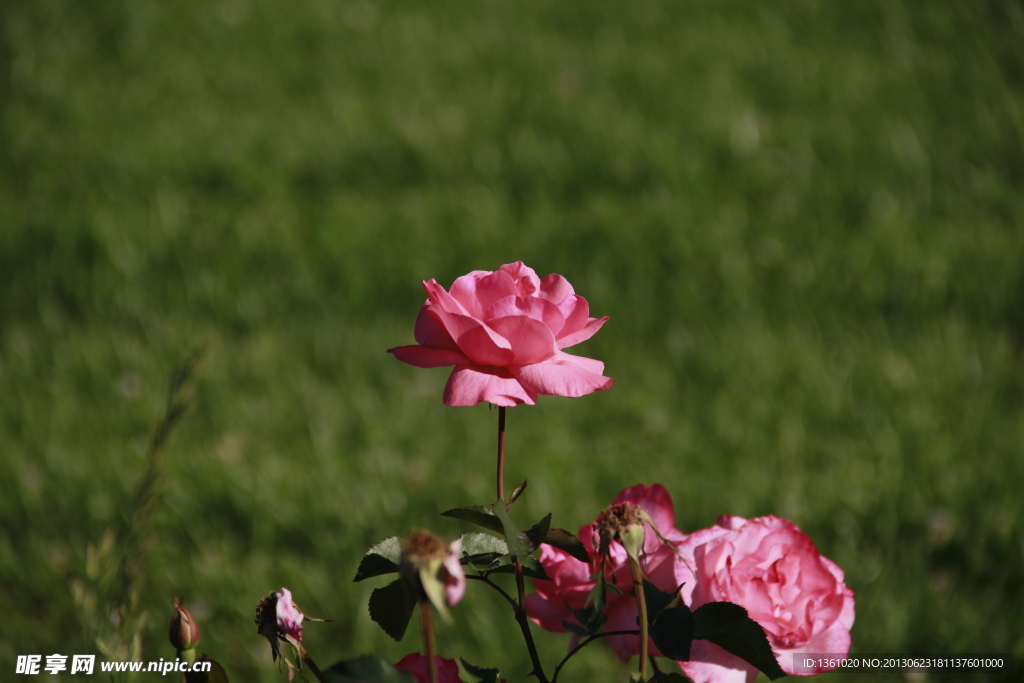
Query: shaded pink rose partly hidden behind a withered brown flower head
[(572, 580)]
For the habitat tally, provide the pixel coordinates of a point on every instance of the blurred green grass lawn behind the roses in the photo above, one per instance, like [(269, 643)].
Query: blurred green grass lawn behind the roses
[(804, 221)]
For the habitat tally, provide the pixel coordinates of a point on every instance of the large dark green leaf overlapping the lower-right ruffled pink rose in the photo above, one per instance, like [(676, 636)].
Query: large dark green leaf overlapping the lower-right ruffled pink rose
[(730, 627)]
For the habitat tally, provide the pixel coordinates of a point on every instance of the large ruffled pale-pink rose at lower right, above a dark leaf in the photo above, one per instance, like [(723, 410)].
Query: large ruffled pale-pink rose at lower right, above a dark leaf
[(772, 569)]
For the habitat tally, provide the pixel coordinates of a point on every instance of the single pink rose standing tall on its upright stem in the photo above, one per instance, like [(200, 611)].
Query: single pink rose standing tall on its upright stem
[(504, 332)]
